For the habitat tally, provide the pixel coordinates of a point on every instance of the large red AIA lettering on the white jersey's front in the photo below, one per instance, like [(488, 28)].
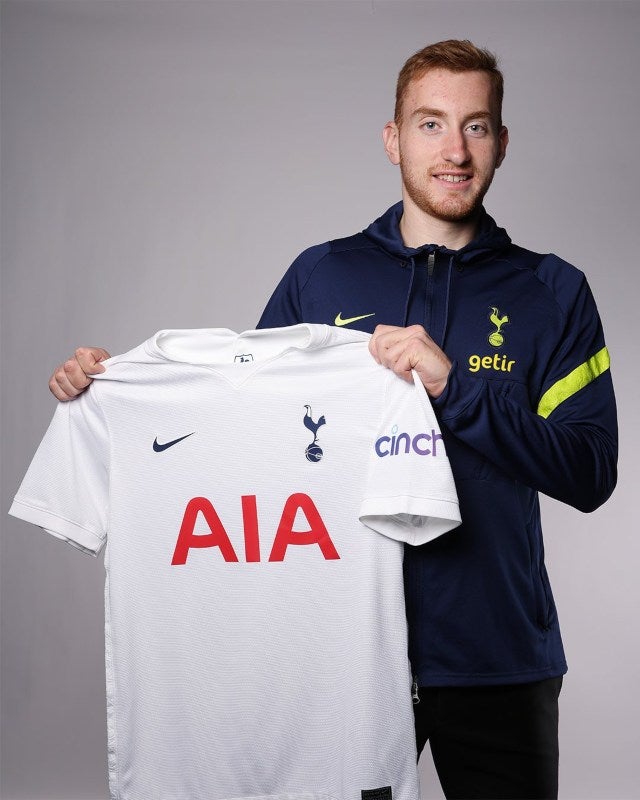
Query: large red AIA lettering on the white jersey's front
[(297, 506)]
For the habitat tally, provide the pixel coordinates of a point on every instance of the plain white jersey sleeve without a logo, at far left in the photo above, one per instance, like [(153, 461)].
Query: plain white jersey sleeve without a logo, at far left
[(65, 490)]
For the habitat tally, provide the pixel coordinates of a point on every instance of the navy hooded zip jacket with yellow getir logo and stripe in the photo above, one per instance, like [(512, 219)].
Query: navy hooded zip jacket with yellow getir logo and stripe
[(529, 407)]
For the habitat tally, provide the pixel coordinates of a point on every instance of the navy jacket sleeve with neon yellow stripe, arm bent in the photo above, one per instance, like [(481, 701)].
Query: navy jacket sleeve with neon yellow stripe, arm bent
[(564, 443)]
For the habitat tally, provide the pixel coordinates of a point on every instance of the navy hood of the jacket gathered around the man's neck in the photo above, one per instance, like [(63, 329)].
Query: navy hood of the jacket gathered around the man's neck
[(385, 232)]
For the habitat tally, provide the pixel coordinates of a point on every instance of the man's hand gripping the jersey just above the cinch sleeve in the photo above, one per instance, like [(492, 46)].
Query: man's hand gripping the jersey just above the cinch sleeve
[(406, 349)]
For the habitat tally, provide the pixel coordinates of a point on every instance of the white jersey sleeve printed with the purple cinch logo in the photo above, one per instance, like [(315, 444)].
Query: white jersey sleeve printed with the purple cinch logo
[(410, 493)]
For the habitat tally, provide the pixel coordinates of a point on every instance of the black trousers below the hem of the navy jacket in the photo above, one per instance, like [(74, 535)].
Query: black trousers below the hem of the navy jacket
[(492, 742)]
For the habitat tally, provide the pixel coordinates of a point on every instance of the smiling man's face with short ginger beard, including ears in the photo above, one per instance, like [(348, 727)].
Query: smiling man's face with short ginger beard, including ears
[(449, 143)]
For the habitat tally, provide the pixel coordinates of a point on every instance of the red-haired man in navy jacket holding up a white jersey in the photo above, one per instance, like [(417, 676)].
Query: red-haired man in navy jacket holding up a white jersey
[(509, 346)]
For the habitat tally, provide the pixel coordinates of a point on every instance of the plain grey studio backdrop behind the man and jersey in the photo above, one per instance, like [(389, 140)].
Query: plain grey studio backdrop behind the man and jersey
[(164, 161)]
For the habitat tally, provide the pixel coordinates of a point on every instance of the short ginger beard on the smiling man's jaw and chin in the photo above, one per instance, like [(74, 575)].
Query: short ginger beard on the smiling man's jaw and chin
[(440, 204)]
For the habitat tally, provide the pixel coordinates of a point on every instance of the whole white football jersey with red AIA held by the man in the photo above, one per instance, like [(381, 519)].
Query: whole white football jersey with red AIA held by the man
[(253, 491)]
